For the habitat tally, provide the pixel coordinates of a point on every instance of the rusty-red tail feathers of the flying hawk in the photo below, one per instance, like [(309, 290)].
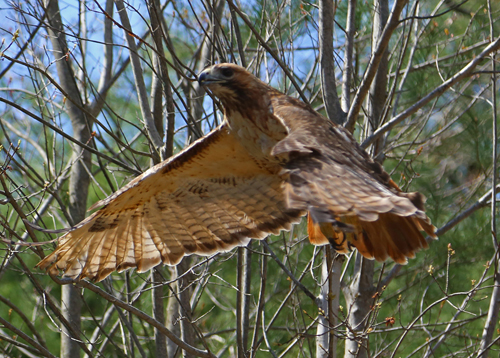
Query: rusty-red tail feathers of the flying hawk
[(391, 235)]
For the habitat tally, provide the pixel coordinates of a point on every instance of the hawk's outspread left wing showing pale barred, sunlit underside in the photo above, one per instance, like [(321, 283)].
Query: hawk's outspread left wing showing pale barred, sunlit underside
[(210, 197)]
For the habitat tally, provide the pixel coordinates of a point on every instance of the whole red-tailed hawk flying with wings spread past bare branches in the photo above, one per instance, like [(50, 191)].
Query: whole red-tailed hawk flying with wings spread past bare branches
[(272, 160)]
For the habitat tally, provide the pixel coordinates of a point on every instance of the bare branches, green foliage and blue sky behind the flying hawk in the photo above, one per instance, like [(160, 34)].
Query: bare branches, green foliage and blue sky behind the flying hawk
[(92, 93)]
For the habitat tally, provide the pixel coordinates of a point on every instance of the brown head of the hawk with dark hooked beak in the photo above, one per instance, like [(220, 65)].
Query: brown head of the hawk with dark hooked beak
[(236, 88)]
